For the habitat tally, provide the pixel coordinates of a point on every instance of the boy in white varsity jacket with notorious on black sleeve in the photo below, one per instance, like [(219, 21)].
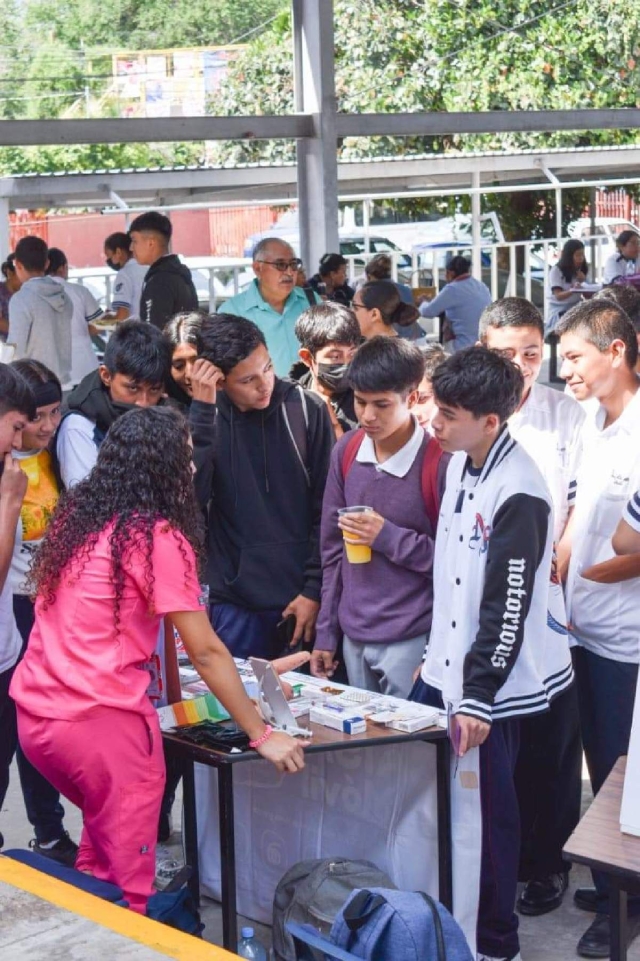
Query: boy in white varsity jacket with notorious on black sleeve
[(491, 583)]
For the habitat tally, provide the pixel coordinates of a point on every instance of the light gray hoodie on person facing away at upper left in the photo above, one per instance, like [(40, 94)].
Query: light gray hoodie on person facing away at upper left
[(40, 316)]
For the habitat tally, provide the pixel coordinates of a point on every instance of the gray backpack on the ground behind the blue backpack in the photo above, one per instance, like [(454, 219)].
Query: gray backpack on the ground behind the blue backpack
[(313, 892)]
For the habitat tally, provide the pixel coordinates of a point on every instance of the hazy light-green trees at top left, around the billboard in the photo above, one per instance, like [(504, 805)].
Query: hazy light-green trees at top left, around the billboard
[(56, 54)]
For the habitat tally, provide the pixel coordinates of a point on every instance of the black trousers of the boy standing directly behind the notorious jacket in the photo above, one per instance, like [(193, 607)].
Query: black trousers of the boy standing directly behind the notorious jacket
[(549, 784)]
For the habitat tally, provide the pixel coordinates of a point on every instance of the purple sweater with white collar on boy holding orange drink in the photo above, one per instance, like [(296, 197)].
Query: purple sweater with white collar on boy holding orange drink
[(390, 598)]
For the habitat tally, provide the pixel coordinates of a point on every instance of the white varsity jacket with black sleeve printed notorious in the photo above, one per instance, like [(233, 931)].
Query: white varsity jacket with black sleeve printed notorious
[(491, 583)]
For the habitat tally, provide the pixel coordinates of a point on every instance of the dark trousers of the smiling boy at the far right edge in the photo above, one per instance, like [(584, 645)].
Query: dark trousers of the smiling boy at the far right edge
[(606, 695)]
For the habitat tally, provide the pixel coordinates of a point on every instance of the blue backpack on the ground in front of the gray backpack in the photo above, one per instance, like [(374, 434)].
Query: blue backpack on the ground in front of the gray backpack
[(387, 925)]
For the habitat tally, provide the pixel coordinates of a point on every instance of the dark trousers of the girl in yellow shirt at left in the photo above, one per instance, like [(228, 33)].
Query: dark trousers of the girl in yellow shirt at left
[(41, 800)]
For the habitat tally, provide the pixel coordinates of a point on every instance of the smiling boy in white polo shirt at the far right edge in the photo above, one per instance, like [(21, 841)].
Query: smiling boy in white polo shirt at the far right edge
[(600, 350)]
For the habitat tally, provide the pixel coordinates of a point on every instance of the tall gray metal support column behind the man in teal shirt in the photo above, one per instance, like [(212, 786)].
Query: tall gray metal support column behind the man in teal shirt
[(313, 52)]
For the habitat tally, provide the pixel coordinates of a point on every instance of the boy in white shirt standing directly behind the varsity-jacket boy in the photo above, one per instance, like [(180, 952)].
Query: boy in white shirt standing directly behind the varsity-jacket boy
[(548, 424)]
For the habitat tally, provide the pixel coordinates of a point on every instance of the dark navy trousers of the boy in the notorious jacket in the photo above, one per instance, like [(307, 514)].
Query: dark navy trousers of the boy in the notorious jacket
[(497, 926)]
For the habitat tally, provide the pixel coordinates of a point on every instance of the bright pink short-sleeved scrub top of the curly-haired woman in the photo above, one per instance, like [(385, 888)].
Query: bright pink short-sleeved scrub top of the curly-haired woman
[(76, 662)]
